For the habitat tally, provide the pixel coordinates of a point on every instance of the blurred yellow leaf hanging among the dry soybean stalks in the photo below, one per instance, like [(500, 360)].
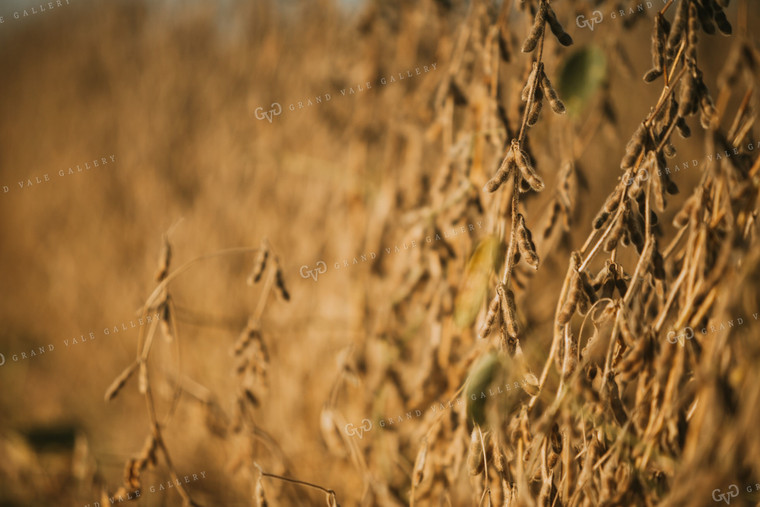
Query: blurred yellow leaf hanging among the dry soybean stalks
[(488, 256)]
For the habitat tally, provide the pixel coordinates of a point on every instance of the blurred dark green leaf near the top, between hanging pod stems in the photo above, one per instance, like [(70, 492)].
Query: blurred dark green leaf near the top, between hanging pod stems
[(580, 76)]
